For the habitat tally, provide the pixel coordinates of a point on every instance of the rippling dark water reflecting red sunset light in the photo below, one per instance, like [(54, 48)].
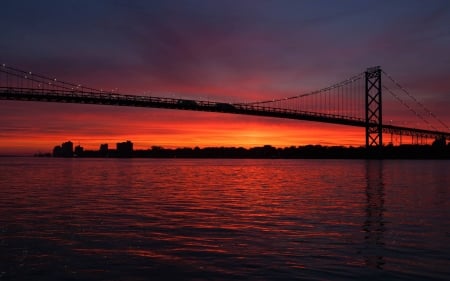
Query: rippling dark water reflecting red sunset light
[(171, 219)]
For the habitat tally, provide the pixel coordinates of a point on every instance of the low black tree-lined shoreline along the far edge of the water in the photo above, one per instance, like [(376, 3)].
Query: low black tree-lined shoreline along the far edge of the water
[(270, 152)]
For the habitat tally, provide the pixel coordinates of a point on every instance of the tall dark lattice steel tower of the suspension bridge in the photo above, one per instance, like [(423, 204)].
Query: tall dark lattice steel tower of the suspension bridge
[(374, 128)]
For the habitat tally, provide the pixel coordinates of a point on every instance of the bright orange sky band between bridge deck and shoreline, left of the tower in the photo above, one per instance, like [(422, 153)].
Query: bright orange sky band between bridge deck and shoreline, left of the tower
[(47, 125)]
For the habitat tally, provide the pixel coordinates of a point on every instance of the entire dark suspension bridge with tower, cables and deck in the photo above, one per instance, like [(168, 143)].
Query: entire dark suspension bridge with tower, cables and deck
[(356, 101)]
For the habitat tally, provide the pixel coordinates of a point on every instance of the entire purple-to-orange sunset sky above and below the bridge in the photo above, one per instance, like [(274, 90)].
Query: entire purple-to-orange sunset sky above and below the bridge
[(231, 51)]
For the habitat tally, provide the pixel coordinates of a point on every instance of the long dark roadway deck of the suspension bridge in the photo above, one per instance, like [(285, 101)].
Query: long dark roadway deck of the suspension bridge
[(88, 97)]
